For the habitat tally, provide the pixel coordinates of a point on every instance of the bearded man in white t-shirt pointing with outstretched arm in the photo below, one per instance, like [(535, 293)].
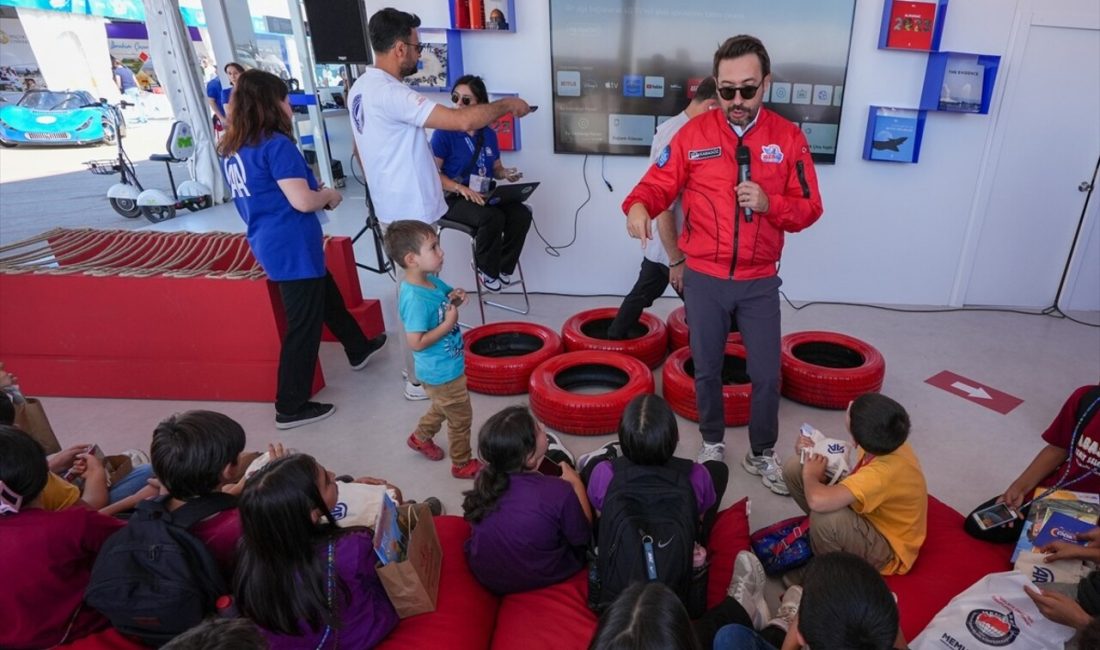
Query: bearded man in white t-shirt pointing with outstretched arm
[(389, 122)]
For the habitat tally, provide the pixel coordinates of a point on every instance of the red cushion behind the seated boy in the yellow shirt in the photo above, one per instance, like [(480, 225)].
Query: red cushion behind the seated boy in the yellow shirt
[(950, 563)]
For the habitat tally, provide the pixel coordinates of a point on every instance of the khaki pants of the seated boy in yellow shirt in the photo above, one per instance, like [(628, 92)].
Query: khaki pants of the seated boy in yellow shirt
[(841, 531)]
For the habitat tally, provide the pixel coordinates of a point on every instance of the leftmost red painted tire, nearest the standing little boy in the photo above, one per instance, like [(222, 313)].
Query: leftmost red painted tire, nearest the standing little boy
[(501, 357)]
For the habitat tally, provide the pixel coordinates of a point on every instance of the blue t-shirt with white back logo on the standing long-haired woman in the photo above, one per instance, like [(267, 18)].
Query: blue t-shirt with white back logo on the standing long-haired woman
[(288, 244)]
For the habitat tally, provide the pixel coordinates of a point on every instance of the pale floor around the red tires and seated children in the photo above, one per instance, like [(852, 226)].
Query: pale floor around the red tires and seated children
[(969, 453)]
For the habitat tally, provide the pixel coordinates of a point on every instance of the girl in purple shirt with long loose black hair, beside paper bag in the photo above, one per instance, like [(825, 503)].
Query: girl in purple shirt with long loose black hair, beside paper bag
[(306, 583)]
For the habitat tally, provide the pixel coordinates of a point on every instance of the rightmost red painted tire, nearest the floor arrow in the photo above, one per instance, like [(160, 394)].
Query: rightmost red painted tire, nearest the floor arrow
[(830, 370)]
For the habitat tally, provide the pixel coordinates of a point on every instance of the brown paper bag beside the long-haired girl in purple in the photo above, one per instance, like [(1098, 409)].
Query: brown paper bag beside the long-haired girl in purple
[(413, 583)]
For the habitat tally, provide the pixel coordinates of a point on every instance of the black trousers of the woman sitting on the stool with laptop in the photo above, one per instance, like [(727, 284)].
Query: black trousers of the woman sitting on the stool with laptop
[(501, 233)]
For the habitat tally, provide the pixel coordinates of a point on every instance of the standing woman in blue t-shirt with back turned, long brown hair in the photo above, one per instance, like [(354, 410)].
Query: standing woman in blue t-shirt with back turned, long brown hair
[(279, 199)]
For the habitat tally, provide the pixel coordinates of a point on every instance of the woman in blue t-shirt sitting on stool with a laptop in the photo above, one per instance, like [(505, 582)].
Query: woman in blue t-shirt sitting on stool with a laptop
[(469, 164)]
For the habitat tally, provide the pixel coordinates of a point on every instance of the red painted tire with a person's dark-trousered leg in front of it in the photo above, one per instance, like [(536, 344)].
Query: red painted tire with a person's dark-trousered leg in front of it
[(588, 330)]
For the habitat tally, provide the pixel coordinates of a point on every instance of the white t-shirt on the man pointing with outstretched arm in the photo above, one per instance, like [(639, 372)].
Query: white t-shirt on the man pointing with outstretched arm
[(388, 122)]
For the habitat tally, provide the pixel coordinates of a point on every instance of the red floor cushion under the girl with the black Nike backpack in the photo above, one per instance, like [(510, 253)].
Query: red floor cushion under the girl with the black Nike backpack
[(525, 616)]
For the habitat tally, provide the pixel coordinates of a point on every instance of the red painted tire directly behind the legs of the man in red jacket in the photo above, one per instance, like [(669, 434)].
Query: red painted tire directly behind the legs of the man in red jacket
[(678, 379)]
